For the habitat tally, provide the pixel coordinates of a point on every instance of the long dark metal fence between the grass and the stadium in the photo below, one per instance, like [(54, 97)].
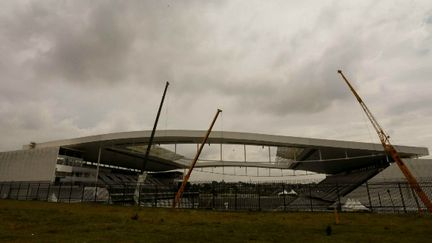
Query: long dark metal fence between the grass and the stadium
[(392, 197)]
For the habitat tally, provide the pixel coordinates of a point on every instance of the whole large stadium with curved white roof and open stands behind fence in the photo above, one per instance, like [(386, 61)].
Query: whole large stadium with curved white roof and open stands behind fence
[(106, 167)]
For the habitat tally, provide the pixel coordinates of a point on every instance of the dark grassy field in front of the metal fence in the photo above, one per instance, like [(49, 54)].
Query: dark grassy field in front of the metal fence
[(56, 222)]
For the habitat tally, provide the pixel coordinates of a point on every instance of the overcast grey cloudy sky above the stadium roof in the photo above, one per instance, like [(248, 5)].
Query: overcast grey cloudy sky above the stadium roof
[(78, 68)]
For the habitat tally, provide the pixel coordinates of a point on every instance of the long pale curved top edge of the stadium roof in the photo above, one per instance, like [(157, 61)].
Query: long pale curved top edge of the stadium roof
[(196, 136)]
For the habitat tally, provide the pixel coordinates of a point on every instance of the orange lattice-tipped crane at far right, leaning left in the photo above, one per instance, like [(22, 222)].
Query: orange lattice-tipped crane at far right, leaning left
[(390, 149)]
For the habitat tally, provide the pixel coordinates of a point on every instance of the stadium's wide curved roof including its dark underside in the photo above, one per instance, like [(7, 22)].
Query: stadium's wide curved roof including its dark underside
[(319, 155)]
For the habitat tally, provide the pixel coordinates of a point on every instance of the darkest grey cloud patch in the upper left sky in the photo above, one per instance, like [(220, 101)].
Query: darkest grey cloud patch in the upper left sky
[(98, 50)]
